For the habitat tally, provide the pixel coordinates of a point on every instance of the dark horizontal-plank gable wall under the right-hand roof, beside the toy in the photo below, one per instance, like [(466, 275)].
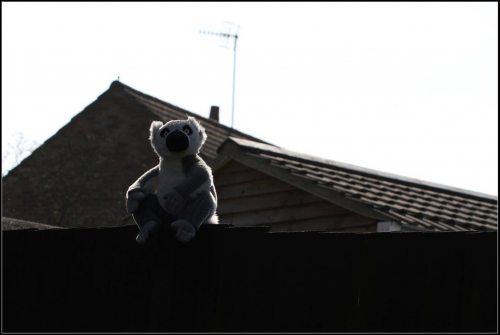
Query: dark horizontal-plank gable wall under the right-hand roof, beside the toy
[(249, 197)]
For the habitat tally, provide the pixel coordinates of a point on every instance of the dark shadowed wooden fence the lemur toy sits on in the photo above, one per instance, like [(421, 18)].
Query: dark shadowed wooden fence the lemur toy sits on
[(247, 280)]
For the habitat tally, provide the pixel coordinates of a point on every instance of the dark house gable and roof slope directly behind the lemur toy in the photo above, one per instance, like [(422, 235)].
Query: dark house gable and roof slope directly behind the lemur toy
[(79, 176)]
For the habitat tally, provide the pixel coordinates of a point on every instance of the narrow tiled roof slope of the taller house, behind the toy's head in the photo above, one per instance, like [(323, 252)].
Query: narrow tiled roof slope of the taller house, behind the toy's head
[(217, 133)]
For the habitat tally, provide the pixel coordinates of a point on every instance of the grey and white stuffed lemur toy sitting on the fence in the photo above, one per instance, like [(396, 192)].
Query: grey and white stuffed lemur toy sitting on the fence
[(178, 191)]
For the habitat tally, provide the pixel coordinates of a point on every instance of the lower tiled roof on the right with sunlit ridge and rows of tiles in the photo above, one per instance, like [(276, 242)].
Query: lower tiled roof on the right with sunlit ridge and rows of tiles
[(407, 201)]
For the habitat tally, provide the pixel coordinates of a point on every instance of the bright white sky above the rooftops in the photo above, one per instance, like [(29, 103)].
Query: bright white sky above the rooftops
[(406, 88)]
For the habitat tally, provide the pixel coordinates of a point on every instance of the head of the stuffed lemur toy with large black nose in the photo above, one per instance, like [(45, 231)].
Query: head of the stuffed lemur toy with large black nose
[(177, 138)]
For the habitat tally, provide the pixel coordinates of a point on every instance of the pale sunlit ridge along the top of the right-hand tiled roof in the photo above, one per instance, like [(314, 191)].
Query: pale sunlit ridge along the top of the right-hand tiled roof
[(370, 172)]
